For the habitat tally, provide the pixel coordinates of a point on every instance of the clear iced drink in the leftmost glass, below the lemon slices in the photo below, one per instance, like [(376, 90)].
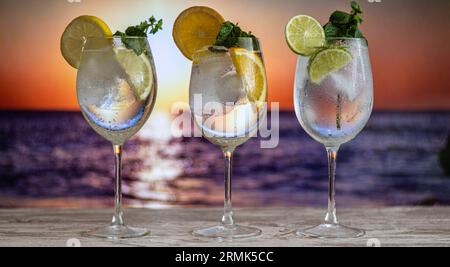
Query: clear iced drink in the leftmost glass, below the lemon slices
[(108, 98)]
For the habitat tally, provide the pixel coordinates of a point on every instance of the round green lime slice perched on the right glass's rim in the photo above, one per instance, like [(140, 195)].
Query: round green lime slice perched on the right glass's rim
[(304, 35)]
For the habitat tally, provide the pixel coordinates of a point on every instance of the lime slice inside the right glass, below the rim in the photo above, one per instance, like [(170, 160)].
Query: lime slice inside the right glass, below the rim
[(327, 61)]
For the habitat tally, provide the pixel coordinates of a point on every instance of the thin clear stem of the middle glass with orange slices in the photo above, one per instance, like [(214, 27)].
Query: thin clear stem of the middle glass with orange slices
[(227, 218)]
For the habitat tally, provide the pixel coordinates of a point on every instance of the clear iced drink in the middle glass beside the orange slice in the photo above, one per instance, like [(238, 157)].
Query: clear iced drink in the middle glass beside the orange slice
[(221, 106)]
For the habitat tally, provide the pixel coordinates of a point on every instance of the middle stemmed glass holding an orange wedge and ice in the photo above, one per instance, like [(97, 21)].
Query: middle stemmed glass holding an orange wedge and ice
[(228, 98)]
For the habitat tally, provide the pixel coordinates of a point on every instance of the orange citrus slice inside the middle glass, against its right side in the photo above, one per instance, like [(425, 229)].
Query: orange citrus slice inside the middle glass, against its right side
[(250, 68)]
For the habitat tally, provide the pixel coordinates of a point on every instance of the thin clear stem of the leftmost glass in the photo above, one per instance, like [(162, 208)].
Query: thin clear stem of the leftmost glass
[(118, 214)]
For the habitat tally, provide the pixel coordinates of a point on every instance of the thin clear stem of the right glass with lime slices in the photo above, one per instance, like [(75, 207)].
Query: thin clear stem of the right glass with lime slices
[(331, 218)]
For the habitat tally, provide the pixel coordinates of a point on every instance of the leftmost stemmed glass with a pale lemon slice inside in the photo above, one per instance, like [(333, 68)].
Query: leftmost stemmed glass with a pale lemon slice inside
[(116, 90)]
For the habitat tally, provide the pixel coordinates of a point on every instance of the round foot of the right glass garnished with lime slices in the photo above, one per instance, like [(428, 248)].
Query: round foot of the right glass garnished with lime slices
[(327, 230)]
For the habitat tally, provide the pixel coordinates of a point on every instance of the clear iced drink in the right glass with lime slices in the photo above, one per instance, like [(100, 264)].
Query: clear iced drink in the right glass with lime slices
[(337, 109)]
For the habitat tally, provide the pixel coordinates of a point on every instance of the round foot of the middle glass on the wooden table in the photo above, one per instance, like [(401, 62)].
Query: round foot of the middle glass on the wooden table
[(227, 232)]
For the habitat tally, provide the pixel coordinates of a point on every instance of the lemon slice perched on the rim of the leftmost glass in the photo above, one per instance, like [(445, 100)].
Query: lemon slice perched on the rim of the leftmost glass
[(72, 39)]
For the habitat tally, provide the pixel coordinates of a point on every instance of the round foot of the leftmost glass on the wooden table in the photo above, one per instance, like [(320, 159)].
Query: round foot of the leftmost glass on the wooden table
[(117, 232)]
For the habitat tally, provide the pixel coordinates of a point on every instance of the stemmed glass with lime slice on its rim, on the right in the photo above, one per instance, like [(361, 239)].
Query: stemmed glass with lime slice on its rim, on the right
[(333, 113)]
